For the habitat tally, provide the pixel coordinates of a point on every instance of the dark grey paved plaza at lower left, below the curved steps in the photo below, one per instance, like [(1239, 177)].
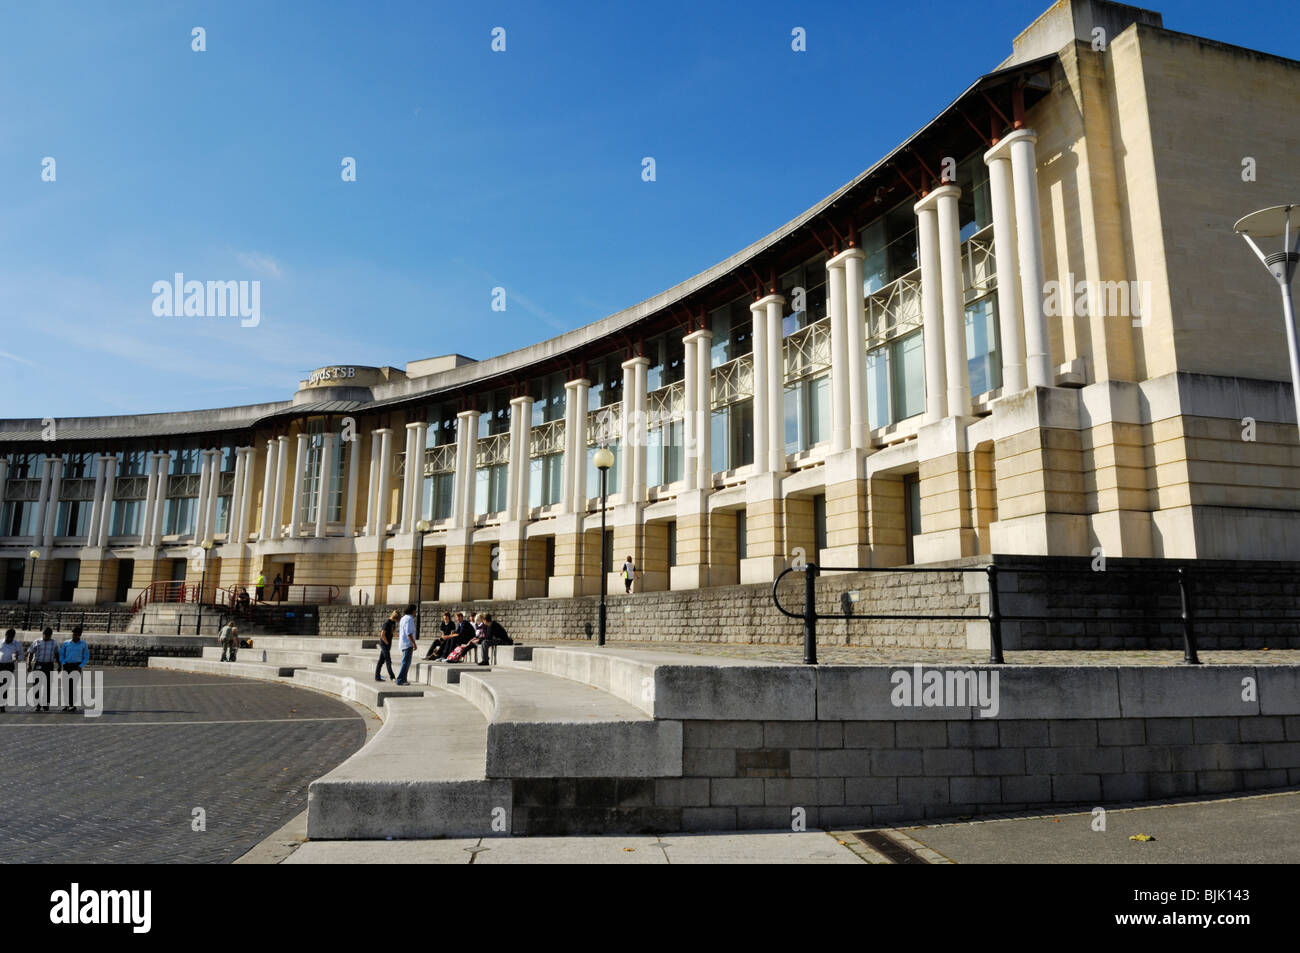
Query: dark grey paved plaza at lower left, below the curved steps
[(123, 789)]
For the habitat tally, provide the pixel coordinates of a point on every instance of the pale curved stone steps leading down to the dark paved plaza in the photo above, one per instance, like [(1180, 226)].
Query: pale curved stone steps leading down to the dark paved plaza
[(458, 740)]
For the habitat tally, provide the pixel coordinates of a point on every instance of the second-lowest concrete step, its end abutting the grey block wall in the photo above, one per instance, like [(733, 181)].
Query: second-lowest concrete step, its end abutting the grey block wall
[(547, 727)]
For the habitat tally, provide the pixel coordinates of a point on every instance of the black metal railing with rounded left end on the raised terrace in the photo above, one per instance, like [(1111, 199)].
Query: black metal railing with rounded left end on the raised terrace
[(995, 618)]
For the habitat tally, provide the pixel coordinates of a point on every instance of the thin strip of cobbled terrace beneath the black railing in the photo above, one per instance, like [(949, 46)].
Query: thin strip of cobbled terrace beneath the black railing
[(870, 656)]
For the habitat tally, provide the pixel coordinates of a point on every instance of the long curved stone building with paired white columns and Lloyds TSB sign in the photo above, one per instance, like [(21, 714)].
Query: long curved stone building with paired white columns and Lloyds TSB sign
[(1029, 330)]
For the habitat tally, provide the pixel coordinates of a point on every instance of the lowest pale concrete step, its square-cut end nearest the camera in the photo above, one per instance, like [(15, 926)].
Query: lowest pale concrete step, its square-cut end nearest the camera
[(423, 776)]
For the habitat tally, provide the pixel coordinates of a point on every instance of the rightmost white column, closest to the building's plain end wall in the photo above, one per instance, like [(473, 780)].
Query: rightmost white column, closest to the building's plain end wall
[(1029, 233)]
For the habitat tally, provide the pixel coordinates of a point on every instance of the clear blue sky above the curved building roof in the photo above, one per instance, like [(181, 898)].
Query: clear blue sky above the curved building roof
[(475, 170)]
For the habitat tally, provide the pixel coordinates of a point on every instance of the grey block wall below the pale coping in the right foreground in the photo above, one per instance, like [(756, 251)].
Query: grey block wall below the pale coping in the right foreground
[(755, 776)]
